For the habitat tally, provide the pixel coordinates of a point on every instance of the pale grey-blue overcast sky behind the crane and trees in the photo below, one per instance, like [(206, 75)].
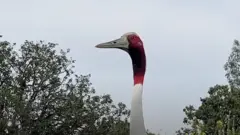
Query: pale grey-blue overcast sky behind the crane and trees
[(186, 42)]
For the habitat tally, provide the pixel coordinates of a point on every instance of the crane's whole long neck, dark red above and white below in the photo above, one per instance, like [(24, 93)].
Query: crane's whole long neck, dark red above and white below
[(138, 57)]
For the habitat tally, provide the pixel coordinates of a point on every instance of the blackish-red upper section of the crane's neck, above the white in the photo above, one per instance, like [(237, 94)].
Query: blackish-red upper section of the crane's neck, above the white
[(139, 64)]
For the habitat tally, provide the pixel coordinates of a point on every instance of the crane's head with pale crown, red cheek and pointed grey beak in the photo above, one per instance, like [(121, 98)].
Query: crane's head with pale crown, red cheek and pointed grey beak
[(127, 41)]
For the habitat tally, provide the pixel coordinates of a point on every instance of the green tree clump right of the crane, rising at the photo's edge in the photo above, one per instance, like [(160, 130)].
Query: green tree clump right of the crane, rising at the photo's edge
[(219, 112)]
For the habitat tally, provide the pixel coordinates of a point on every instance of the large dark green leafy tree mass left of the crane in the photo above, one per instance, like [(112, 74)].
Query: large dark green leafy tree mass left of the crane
[(41, 95)]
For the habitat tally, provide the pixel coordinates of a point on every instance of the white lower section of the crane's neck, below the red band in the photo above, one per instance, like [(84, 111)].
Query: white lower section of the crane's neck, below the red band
[(137, 126)]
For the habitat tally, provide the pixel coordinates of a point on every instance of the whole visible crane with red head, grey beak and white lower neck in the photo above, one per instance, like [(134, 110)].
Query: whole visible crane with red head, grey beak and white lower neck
[(133, 45)]
